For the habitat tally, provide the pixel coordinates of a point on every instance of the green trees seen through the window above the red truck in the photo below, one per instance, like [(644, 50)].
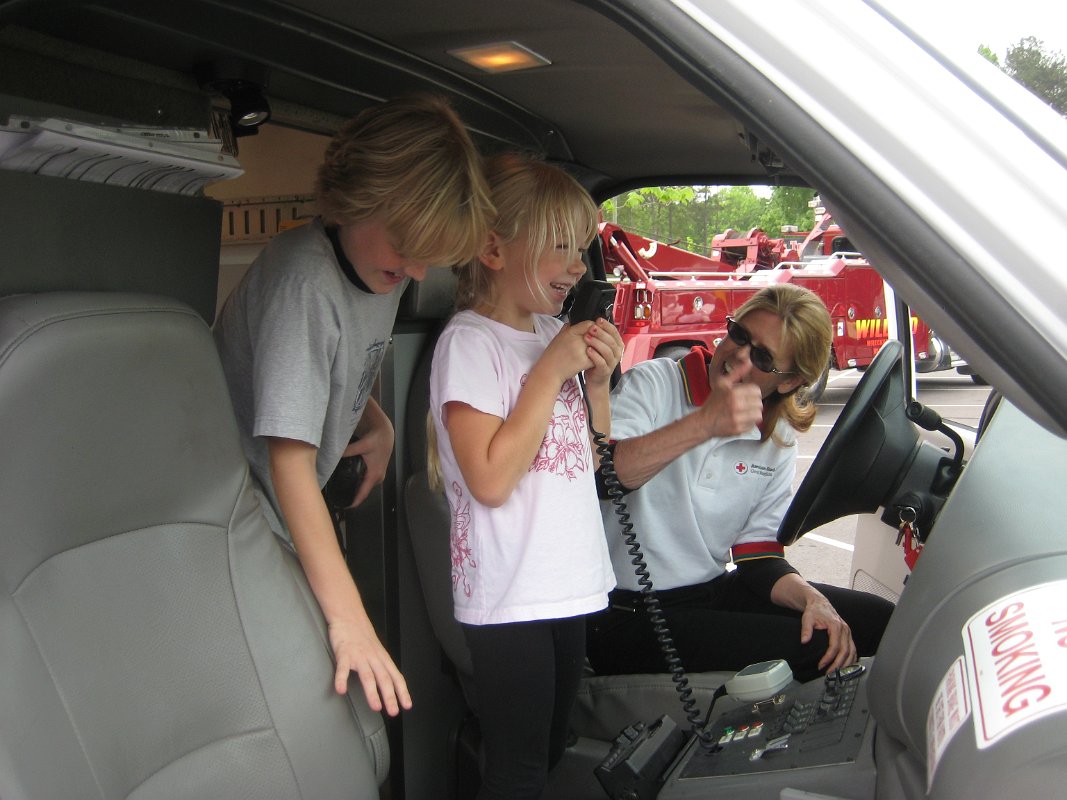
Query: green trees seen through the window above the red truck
[(691, 217)]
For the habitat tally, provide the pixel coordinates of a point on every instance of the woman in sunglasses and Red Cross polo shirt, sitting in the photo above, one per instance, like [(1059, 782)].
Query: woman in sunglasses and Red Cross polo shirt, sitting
[(707, 453)]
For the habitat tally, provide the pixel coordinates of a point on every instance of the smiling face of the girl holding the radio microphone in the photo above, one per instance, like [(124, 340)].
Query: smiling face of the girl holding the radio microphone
[(523, 292)]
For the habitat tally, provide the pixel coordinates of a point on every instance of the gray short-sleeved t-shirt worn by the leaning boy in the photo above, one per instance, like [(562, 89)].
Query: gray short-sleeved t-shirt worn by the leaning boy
[(301, 347)]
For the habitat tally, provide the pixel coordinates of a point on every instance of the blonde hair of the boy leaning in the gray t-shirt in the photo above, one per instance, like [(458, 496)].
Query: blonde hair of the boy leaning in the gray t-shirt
[(410, 159)]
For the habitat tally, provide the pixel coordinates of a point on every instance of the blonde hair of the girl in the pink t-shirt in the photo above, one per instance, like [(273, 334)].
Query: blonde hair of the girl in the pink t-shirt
[(533, 200)]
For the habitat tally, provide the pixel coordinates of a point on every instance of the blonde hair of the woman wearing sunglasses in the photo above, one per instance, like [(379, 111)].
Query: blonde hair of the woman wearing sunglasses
[(808, 329)]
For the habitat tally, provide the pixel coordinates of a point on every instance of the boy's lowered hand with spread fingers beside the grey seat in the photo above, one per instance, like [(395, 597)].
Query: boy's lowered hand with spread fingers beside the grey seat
[(357, 649)]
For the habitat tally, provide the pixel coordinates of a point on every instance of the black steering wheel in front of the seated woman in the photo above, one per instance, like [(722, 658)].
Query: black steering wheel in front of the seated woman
[(866, 456)]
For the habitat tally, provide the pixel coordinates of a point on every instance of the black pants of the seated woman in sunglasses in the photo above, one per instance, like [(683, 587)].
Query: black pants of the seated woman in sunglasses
[(723, 626)]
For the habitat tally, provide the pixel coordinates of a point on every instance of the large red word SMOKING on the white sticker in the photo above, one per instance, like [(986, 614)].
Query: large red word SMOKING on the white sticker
[(1021, 684)]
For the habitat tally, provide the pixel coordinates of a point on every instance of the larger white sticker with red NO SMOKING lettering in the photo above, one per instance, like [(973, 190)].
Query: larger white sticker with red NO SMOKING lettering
[(1016, 652)]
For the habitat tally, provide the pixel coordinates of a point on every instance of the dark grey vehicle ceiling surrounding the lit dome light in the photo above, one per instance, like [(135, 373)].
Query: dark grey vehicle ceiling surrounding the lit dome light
[(337, 57)]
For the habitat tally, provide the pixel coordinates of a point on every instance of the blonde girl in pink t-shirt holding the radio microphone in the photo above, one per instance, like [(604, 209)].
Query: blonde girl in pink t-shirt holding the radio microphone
[(530, 559)]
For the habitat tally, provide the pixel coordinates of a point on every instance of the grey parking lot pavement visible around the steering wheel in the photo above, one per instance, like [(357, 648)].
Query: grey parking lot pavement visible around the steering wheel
[(824, 556)]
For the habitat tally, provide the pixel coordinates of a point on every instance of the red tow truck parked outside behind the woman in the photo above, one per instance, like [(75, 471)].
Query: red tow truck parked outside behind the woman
[(670, 299)]
